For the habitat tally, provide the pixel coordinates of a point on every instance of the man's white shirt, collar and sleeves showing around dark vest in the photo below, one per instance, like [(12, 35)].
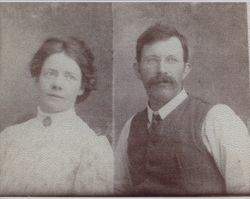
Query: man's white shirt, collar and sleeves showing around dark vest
[(224, 135)]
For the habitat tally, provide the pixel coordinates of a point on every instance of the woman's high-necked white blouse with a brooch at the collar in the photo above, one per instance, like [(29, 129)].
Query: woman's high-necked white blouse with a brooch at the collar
[(65, 157)]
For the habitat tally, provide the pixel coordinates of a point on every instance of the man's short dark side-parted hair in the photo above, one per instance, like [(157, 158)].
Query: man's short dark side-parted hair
[(158, 32)]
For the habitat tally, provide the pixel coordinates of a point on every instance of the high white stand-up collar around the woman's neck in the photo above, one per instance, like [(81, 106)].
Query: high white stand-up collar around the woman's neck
[(56, 117)]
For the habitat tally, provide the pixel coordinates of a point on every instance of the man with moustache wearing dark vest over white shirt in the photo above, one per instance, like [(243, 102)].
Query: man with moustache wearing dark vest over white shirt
[(179, 144)]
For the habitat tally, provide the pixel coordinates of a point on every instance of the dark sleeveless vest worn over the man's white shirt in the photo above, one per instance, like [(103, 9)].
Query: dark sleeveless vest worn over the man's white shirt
[(174, 160)]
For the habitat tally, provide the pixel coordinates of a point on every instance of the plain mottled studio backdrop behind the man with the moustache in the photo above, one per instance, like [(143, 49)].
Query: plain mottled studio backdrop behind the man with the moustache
[(217, 37)]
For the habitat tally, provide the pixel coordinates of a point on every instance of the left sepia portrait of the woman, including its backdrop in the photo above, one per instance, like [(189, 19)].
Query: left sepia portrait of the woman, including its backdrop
[(56, 99)]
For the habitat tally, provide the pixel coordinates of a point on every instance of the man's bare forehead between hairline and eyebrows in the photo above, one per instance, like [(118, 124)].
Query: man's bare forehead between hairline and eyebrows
[(170, 45)]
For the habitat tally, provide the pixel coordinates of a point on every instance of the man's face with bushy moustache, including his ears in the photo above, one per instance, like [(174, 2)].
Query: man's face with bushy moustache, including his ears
[(162, 68)]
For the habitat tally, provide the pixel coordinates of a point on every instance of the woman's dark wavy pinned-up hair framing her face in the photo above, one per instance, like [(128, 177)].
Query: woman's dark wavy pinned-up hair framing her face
[(75, 49)]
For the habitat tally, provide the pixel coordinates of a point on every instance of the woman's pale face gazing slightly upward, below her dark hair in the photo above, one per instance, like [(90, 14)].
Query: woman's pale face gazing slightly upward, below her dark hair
[(59, 83)]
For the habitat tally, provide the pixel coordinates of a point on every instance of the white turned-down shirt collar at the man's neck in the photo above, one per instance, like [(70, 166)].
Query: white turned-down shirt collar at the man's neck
[(169, 107)]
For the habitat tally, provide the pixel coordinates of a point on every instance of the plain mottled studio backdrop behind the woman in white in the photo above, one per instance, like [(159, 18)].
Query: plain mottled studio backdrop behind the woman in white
[(24, 27)]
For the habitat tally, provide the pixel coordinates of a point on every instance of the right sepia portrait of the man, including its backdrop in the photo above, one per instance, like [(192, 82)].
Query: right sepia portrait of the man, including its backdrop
[(181, 95)]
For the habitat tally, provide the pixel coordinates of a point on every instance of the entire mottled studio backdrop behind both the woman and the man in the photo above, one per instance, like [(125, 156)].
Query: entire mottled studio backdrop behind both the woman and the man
[(216, 32)]
